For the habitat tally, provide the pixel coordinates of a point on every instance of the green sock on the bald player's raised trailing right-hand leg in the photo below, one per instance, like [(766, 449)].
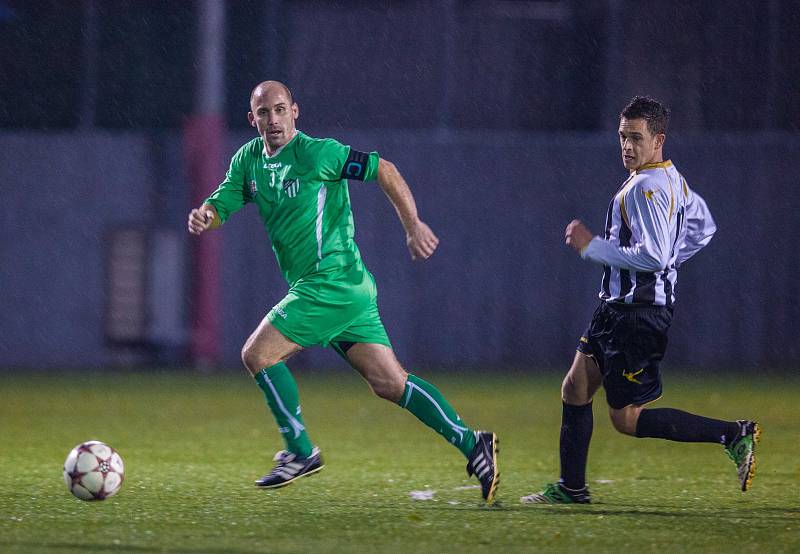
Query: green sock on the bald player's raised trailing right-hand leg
[(426, 402)]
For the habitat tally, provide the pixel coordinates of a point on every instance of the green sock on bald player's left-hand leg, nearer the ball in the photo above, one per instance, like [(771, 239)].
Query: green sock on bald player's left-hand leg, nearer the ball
[(280, 390)]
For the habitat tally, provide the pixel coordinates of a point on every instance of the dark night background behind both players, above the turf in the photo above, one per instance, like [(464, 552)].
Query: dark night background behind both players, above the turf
[(501, 115)]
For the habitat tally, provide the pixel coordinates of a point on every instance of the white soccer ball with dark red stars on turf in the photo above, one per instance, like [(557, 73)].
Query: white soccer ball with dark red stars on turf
[(93, 471)]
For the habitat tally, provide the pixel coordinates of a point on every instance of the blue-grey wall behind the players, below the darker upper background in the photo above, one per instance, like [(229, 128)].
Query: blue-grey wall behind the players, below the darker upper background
[(501, 291)]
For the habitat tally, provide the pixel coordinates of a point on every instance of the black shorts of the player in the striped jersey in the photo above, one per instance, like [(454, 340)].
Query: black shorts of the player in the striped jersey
[(628, 341)]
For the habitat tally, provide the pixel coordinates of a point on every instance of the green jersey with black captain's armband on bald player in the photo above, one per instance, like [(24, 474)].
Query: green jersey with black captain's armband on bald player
[(302, 197)]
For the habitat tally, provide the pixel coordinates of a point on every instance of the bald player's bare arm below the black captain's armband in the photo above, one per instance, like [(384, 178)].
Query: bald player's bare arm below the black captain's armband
[(420, 239)]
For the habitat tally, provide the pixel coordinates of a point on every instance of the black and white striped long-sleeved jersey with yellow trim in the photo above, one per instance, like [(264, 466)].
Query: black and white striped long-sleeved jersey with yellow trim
[(655, 222)]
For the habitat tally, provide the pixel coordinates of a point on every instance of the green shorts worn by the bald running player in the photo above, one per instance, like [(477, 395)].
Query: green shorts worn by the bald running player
[(331, 307)]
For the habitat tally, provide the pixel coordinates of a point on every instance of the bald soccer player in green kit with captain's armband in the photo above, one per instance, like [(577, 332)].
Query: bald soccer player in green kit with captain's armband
[(299, 185)]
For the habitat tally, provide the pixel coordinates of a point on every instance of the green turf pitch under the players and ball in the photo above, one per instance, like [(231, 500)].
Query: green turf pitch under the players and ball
[(193, 444)]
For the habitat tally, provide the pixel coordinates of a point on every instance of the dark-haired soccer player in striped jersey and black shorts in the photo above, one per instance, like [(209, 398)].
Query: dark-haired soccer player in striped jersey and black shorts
[(655, 222)]
